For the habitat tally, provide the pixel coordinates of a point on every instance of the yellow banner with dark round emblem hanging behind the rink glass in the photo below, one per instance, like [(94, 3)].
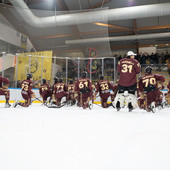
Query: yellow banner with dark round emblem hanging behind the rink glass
[(38, 63)]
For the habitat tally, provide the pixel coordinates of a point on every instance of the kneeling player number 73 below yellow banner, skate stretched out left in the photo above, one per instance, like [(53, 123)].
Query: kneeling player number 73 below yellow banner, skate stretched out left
[(26, 92)]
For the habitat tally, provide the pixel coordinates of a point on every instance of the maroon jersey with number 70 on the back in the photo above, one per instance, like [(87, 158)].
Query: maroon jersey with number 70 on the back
[(149, 82)]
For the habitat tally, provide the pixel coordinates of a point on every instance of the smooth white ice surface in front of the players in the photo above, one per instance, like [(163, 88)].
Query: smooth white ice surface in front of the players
[(70, 138)]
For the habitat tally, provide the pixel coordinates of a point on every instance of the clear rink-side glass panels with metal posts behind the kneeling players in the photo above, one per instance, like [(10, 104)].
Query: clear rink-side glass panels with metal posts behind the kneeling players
[(62, 67)]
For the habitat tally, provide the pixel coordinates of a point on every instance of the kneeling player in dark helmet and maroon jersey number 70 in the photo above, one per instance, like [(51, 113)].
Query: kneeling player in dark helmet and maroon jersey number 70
[(148, 87)]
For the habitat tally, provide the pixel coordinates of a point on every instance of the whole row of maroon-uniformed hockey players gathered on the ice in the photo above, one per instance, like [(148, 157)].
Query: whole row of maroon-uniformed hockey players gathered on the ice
[(144, 93)]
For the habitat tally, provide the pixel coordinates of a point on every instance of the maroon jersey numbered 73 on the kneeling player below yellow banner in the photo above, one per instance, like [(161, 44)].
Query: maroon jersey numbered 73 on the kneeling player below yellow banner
[(26, 87)]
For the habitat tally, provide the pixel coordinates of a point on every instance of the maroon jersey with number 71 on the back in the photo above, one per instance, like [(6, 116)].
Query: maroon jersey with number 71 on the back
[(59, 90)]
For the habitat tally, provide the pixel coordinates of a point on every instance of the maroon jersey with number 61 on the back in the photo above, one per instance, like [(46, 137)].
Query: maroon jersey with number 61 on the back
[(83, 83)]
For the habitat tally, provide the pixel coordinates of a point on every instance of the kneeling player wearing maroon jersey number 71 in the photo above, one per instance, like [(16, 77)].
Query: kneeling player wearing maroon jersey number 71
[(59, 91)]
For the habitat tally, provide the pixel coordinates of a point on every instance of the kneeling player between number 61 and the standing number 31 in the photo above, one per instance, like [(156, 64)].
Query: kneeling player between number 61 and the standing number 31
[(104, 87)]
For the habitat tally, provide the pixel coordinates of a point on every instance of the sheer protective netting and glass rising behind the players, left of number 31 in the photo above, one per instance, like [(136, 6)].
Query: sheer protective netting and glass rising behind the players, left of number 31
[(71, 36)]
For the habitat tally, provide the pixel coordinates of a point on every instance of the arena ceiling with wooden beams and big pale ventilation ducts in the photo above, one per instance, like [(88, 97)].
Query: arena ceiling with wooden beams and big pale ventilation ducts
[(63, 37)]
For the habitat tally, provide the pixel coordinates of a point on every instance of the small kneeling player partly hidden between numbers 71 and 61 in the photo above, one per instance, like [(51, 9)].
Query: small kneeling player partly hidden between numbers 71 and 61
[(70, 93)]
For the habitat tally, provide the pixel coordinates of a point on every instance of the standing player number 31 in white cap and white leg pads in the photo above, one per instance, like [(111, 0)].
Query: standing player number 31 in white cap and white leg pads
[(127, 68)]
